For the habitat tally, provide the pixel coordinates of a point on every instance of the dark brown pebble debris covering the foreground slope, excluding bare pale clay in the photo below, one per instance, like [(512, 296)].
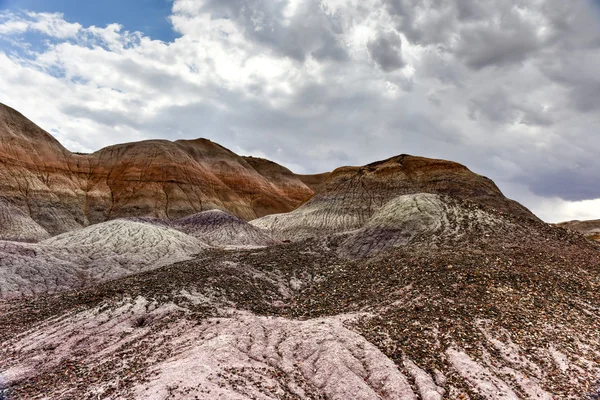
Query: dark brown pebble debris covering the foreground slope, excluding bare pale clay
[(419, 300)]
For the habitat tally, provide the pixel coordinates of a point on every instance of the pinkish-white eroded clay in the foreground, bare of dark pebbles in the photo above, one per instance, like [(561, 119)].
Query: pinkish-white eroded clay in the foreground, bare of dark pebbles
[(245, 356)]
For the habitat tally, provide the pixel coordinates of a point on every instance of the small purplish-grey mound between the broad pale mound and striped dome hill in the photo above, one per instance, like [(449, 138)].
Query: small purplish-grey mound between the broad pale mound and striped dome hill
[(218, 228)]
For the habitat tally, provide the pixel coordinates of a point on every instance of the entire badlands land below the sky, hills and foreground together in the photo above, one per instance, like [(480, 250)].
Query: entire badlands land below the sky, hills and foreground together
[(181, 270)]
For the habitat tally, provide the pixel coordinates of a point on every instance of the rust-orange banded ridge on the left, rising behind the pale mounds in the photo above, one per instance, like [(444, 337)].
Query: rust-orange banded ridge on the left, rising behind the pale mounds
[(62, 191)]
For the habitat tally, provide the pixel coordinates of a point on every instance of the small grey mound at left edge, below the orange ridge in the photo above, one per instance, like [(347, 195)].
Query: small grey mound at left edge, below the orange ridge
[(15, 225)]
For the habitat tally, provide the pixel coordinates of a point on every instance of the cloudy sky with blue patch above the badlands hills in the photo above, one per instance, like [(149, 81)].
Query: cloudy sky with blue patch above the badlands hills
[(509, 88)]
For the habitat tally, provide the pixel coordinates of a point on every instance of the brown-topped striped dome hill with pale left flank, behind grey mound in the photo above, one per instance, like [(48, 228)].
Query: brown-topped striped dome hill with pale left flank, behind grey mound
[(352, 195)]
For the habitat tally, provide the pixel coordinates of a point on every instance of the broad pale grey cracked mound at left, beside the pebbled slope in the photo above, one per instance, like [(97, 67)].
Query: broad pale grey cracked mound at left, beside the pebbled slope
[(94, 254)]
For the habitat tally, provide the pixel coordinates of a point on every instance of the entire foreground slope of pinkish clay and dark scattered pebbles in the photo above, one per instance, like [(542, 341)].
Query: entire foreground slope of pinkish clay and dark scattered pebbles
[(479, 319)]
